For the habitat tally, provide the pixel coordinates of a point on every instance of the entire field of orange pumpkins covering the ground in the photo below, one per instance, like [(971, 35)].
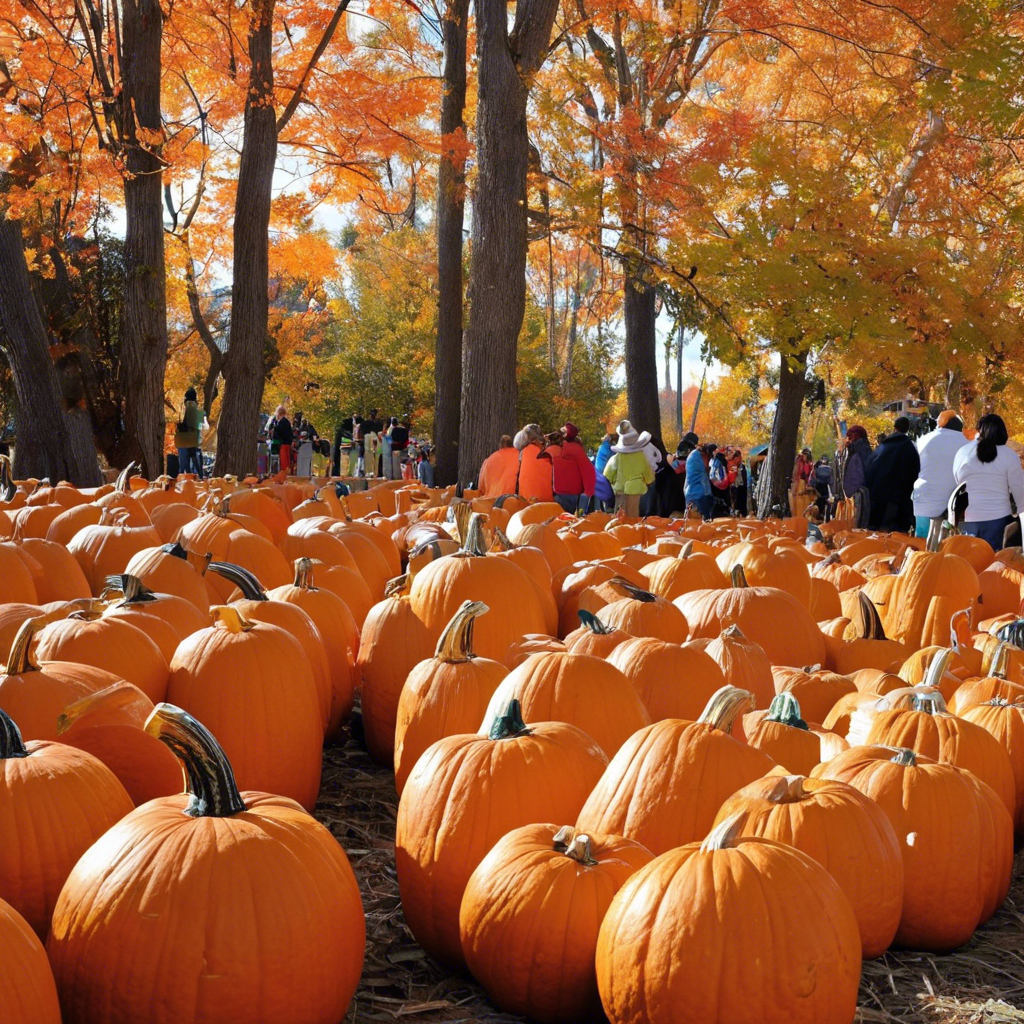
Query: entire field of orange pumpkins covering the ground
[(668, 771)]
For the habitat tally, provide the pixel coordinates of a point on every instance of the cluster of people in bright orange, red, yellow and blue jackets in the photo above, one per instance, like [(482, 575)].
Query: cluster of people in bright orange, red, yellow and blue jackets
[(630, 471)]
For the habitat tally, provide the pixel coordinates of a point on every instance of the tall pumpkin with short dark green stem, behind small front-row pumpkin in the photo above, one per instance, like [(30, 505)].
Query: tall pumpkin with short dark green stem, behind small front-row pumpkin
[(468, 791)]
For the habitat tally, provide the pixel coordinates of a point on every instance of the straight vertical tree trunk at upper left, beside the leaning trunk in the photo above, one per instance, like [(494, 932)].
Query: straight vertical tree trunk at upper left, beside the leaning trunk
[(144, 333)]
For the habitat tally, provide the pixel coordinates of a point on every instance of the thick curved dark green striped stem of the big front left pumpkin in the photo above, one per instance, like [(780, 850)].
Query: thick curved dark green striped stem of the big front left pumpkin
[(209, 779)]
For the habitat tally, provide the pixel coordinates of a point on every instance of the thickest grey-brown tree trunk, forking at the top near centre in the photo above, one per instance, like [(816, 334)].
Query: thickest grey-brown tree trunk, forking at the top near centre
[(506, 65)]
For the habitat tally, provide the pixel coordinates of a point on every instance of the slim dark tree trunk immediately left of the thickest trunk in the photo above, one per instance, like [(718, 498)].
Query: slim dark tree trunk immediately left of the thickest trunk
[(451, 216)]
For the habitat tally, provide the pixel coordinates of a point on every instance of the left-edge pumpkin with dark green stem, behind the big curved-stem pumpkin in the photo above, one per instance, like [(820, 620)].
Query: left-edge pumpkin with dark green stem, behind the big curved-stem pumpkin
[(56, 801)]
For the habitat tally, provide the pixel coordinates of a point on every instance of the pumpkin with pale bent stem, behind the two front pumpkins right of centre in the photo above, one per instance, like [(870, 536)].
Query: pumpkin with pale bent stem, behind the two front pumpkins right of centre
[(667, 783)]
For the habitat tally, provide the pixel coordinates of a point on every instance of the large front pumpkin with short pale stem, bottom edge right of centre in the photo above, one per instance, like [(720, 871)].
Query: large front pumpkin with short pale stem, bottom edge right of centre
[(688, 927)]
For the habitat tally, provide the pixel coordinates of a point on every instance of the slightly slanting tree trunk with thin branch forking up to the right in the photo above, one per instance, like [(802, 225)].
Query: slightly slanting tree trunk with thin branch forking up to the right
[(244, 367)]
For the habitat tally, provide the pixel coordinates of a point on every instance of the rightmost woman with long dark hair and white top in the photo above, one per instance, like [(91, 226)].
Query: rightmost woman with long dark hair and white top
[(995, 480)]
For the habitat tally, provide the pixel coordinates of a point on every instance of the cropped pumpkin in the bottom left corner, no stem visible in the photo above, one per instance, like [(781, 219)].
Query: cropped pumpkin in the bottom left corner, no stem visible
[(30, 996)]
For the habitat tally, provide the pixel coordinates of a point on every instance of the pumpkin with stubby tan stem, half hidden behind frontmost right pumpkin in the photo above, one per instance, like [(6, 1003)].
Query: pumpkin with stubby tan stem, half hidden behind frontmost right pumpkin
[(847, 834)]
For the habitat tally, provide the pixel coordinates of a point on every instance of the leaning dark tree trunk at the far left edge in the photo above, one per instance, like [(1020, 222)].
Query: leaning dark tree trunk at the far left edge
[(51, 443)]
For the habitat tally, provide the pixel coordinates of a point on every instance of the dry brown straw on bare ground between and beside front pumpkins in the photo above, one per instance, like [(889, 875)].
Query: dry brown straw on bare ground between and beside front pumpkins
[(984, 984)]
